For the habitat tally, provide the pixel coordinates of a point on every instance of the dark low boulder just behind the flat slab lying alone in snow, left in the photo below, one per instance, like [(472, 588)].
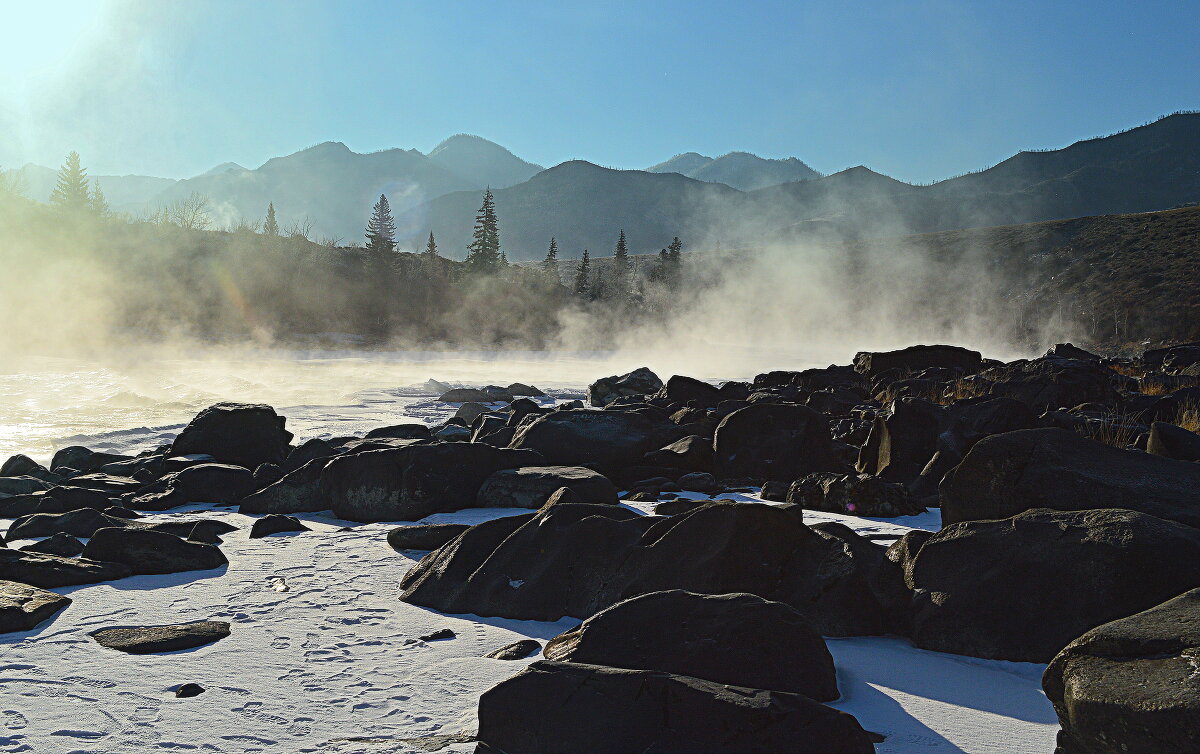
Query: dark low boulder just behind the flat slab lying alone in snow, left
[(147, 552)]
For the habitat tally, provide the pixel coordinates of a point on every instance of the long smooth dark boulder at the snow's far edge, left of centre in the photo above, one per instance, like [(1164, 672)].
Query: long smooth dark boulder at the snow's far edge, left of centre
[(407, 484)]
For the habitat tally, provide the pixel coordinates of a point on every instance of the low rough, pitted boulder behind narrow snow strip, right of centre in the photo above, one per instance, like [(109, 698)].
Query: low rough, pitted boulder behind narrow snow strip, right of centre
[(857, 495)]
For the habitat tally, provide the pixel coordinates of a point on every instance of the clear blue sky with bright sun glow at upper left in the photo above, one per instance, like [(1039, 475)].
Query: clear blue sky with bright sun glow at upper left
[(920, 91)]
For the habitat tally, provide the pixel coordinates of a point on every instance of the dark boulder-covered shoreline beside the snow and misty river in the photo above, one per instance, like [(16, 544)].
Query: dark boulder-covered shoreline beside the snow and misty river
[(1067, 488)]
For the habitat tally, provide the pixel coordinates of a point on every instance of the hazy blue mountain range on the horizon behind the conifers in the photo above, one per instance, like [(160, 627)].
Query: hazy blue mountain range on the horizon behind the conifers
[(730, 201)]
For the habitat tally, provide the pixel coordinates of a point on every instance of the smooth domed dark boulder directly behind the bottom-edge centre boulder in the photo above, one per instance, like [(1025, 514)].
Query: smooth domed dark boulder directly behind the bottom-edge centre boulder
[(734, 639)]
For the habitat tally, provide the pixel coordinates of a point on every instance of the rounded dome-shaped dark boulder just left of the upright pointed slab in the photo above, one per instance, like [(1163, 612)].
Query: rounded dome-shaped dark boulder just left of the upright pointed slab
[(773, 441)]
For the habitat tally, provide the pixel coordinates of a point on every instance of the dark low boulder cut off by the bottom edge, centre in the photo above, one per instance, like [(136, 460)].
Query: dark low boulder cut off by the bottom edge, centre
[(554, 708)]
